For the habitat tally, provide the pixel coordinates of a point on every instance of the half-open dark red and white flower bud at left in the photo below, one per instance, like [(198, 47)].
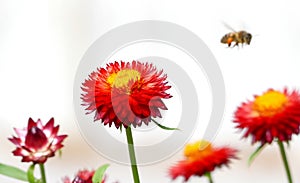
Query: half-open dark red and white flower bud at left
[(37, 142)]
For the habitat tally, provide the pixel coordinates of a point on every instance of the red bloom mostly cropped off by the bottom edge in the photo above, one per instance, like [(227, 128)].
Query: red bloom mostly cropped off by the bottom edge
[(83, 176)]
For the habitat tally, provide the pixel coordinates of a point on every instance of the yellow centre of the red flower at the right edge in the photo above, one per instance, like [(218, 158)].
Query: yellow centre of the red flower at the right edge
[(270, 103)]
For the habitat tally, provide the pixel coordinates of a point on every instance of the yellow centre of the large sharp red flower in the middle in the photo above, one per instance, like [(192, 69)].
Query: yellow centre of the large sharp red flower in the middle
[(121, 78)]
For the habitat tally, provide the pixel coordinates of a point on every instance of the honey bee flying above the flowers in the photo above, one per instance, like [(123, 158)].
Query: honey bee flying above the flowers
[(239, 37)]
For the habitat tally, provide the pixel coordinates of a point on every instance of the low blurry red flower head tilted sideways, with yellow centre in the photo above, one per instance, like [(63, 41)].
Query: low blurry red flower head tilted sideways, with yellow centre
[(200, 158)]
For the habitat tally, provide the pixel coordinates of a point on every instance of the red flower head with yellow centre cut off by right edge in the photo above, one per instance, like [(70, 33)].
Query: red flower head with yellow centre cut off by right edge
[(274, 114)]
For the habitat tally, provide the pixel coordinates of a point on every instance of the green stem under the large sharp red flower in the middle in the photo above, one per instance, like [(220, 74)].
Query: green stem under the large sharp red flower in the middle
[(134, 169)]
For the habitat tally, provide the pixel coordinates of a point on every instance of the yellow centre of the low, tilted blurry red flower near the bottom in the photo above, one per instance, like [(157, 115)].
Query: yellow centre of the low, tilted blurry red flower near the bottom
[(197, 150)]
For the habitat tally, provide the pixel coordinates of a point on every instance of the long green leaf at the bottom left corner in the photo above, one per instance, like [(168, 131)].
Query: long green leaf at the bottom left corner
[(13, 172)]
